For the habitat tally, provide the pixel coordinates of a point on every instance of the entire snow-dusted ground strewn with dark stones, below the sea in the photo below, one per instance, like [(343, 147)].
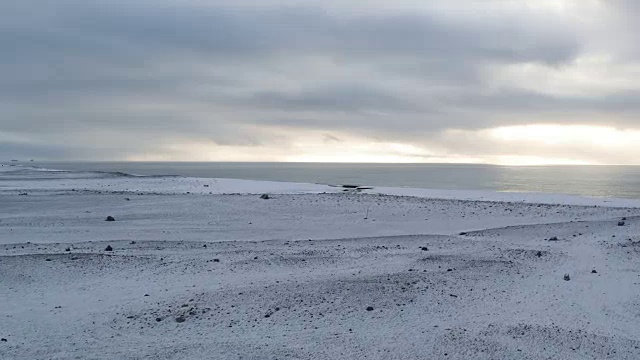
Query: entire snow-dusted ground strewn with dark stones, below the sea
[(206, 269)]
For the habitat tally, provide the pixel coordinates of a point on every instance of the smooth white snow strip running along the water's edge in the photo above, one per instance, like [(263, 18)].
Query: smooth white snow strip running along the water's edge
[(174, 185)]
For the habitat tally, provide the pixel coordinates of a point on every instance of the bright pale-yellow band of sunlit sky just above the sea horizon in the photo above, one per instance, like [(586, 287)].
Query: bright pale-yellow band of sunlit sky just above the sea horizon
[(523, 145)]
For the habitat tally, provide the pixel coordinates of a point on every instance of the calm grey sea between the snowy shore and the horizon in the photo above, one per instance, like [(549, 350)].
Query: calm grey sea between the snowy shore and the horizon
[(605, 181)]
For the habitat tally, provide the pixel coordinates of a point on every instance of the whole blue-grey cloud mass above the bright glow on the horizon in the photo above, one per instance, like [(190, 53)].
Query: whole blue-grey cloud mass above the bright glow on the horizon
[(204, 70)]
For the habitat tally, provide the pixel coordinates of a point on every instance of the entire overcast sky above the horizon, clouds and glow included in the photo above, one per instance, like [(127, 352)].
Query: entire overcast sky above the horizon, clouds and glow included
[(510, 82)]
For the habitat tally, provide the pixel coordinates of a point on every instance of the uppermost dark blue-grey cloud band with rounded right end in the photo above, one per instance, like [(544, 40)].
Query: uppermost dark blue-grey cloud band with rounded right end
[(89, 29)]
